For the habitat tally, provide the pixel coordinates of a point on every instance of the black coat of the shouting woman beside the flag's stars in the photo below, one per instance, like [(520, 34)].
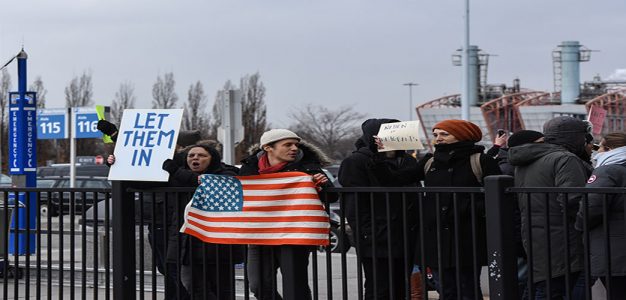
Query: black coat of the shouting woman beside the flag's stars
[(193, 249)]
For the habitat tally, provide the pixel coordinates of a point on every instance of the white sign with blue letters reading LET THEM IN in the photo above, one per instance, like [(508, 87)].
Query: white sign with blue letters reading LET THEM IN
[(146, 138)]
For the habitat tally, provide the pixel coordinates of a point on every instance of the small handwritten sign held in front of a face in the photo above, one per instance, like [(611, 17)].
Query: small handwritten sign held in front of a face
[(400, 136)]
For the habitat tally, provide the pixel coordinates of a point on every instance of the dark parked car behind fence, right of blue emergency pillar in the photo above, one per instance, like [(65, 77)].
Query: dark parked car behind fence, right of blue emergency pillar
[(60, 202)]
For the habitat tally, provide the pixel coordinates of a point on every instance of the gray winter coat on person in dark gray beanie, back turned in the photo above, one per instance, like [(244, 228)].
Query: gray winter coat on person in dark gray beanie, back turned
[(549, 165)]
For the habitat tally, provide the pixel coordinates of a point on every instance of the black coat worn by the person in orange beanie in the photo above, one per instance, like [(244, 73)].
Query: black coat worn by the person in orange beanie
[(451, 168)]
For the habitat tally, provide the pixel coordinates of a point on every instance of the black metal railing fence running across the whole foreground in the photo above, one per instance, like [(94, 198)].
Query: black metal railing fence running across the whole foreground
[(460, 239)]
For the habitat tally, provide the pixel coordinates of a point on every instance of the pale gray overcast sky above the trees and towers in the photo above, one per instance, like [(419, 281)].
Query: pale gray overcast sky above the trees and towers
[(333, 53)]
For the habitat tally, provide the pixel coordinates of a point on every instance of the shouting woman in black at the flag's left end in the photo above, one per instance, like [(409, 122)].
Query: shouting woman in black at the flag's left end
[(220, 259)]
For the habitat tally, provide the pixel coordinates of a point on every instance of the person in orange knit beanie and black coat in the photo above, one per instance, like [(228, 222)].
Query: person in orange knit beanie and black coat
[(457, 162)]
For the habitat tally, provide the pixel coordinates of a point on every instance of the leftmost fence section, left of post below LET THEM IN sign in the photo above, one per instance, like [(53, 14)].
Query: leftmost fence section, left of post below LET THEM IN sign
[(51, 260)]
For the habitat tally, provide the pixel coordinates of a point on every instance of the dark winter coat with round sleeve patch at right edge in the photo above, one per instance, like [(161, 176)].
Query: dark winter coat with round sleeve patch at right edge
[(606, 176)]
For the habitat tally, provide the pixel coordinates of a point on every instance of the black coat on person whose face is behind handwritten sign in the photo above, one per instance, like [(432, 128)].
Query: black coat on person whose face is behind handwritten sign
[(374, 232)]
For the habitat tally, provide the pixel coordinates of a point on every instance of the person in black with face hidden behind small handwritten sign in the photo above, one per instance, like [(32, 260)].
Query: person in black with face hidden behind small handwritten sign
[(366, 167)]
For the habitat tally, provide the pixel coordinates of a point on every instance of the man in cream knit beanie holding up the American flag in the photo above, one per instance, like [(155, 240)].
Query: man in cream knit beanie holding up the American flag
[(281, 151)]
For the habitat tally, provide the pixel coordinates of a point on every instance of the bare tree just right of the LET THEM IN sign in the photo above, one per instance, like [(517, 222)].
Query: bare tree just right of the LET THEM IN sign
[(196, 116)]
